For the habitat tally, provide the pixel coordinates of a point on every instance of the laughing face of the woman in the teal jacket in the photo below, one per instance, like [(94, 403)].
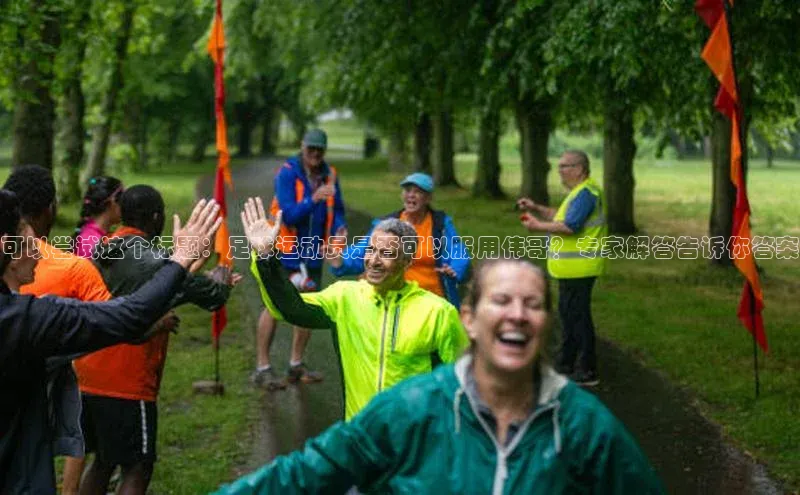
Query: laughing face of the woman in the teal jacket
[(509, 321)]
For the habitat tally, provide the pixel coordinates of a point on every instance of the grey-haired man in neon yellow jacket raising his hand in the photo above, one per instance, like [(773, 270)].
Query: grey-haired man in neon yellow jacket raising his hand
[(386, 328)]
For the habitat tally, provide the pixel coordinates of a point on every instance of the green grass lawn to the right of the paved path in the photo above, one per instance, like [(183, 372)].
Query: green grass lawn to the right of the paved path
[(675, 315)]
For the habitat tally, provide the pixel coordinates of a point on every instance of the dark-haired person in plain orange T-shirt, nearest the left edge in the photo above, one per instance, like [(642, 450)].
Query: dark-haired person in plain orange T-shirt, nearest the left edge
[(60, 274)]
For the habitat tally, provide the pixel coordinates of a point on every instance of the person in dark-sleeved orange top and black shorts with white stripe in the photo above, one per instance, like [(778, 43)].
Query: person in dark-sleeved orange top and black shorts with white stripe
[(120, 384)]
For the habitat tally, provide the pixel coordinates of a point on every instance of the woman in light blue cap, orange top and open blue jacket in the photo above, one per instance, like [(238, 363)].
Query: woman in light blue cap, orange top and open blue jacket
[(442, 260)]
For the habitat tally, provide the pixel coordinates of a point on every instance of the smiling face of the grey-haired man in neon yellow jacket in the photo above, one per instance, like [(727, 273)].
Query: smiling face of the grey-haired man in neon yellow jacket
[(384, 263)]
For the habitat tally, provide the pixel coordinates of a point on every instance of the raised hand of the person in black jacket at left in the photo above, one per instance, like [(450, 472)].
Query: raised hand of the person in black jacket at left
[(192, 241)]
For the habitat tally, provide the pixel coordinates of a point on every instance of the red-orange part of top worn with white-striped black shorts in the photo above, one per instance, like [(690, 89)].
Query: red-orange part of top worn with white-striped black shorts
[(125, 371)]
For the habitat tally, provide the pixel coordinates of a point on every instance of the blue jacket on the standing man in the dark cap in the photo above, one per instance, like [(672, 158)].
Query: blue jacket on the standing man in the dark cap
[(307, 217)]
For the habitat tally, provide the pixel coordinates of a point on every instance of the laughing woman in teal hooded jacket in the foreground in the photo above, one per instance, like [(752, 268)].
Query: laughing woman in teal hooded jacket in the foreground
[(499, 421)]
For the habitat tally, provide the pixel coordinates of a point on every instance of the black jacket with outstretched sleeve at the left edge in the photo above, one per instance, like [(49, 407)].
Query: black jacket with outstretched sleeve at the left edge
[(35, 329)]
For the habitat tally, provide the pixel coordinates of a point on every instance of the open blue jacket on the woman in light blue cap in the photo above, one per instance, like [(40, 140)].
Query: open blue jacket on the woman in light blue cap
[(451, 252)]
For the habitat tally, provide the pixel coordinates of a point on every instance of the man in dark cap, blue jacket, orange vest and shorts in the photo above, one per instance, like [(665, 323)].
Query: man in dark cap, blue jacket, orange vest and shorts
[(307, 191)]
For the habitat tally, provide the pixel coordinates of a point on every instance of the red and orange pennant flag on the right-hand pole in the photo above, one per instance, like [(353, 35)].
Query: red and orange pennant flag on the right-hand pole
[(718, 54)]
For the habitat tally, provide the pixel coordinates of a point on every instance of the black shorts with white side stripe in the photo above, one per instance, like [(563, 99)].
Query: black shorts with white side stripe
[(119, 431)]
